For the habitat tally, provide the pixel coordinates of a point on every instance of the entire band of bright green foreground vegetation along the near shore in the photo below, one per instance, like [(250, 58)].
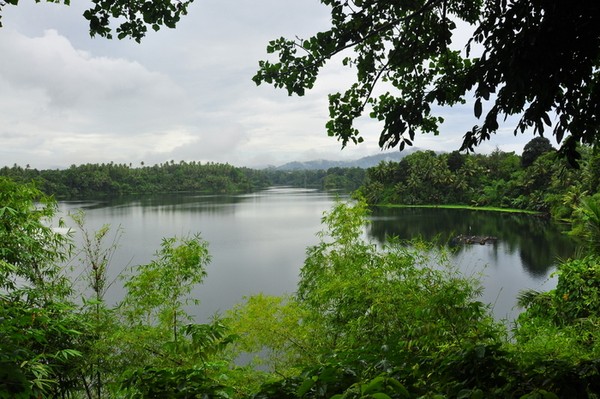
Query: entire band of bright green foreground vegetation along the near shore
[(397, 321)]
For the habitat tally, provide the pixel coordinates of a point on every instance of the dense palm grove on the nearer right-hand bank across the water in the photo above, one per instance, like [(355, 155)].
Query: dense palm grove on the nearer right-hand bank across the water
[(540, 180)]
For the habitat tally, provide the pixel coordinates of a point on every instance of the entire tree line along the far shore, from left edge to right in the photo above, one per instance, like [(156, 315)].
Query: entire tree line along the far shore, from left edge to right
[(539, 180)]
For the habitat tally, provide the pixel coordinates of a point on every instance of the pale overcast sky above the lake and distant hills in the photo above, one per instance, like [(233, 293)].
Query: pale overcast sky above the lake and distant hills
[(182, 94)]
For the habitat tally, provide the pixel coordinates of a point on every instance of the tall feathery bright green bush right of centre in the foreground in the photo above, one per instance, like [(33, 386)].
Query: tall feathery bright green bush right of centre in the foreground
[(362, 297)]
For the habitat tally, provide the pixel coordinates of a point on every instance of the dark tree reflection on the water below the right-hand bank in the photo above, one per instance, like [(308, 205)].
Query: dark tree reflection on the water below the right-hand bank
[(538, 241)]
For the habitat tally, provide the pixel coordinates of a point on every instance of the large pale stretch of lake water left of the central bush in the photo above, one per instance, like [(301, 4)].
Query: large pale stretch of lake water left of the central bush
[(257, 241)]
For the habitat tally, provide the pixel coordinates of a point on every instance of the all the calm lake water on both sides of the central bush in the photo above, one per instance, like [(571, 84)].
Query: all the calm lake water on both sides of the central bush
[(258, 241)]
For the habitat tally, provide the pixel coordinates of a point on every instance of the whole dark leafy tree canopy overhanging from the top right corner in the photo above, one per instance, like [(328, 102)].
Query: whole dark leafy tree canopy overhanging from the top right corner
[(539, 58)]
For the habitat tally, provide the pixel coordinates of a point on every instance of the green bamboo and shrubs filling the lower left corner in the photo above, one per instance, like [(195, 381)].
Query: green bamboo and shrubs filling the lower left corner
[(58, 342)]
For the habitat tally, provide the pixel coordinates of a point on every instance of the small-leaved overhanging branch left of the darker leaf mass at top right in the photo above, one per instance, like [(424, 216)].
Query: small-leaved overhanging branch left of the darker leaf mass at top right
[(393, 43)]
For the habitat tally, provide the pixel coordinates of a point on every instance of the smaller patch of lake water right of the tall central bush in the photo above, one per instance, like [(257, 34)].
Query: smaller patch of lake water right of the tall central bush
[(523, 257)]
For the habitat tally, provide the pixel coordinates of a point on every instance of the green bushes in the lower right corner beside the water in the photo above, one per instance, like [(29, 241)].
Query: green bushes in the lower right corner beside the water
[(558, 332)]
